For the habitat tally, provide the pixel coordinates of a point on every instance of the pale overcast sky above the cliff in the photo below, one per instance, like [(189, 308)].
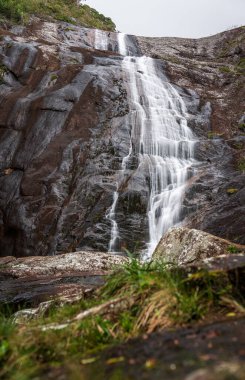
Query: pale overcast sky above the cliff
[(180, 18)]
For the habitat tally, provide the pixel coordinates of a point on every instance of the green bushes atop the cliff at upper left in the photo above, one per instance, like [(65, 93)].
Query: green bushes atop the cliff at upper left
[(64, 10)]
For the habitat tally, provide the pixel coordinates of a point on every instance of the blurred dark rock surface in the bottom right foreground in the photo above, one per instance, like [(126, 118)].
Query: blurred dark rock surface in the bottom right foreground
[(205, 352)]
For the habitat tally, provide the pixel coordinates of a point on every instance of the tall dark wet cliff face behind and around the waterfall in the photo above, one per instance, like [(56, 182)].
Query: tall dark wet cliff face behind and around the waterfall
[(64, 133)]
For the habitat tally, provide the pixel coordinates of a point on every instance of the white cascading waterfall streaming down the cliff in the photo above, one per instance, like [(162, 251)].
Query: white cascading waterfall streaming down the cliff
[(162, 141)]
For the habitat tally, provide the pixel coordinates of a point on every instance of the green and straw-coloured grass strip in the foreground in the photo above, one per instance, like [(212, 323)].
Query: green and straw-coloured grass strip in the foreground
[(145, 297)]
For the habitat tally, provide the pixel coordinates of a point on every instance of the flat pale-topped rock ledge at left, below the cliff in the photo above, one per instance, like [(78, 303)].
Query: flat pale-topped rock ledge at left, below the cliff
[(68, 277)]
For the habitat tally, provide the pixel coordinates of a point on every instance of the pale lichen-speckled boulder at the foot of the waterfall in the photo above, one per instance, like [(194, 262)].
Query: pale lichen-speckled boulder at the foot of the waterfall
[(189, 246)]
